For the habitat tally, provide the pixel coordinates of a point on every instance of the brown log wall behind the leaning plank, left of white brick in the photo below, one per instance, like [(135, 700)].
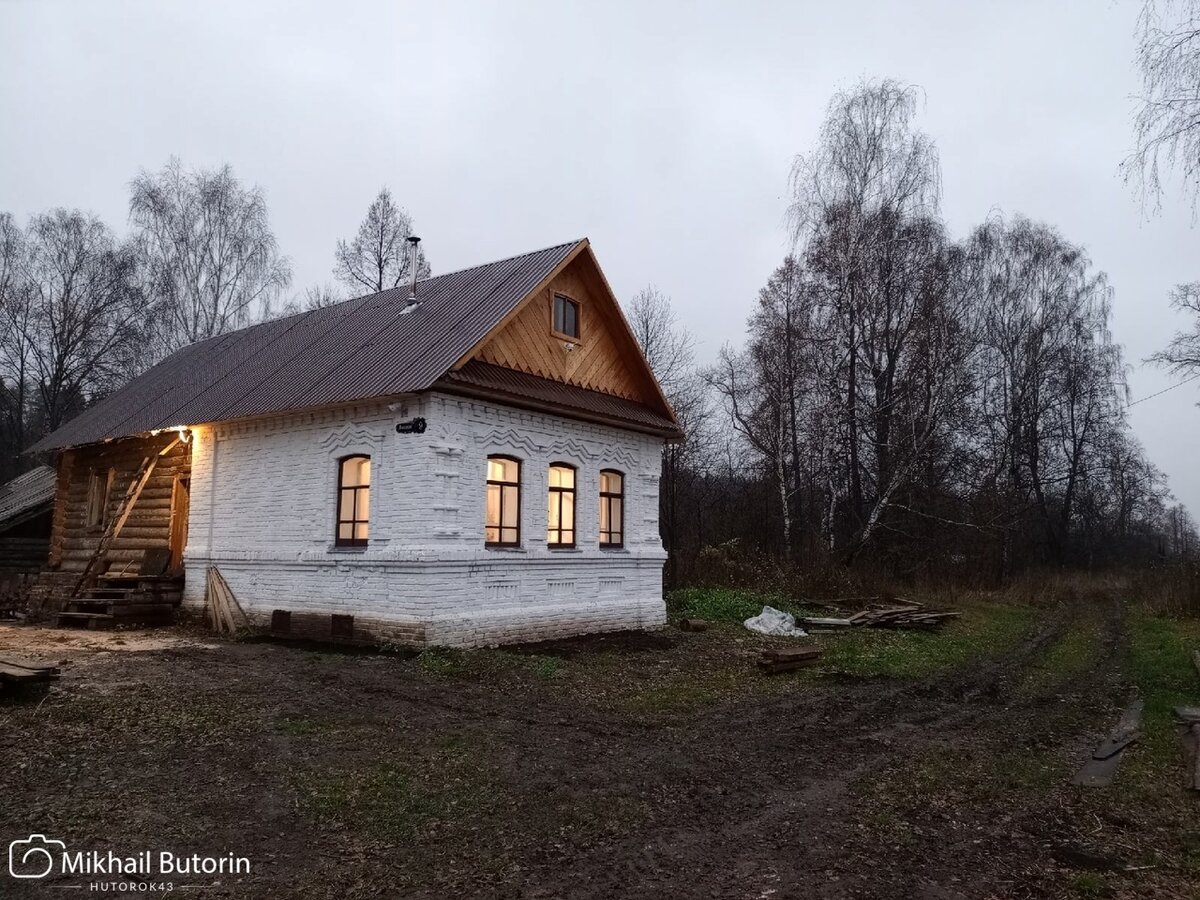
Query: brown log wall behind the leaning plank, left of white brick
[(74, 541)]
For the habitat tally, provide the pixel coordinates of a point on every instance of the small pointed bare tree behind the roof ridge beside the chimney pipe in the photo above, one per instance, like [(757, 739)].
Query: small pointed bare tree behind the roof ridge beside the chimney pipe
[(380, 257)]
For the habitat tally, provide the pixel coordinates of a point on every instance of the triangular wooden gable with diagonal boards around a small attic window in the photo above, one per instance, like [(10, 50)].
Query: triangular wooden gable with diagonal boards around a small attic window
[(605, 358)]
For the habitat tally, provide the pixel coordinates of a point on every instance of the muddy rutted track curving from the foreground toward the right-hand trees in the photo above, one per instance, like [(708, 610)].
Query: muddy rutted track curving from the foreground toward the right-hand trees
[(777, 781)]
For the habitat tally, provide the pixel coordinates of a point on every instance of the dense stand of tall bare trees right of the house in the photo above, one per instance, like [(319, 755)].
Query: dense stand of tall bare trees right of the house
[(908, 403)]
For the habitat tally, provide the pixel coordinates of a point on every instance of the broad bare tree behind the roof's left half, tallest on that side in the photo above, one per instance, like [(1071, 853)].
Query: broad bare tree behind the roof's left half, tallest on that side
[(212, 262)]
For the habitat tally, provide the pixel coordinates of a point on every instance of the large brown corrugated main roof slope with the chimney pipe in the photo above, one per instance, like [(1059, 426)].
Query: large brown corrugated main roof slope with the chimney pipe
[(357, 350)]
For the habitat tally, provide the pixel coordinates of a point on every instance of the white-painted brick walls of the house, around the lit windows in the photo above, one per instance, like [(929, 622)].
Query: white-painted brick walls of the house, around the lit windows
[(263, 511)]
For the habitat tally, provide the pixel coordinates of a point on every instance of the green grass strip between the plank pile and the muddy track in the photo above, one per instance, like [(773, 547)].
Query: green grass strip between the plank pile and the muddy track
[(986, 629)]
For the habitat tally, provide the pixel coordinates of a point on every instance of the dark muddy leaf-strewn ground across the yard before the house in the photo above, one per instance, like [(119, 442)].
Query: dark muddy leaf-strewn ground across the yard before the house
[(658, 766)]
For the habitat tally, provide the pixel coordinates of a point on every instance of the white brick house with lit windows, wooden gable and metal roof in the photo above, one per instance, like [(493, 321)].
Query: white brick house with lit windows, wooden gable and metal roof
[(505, 491)]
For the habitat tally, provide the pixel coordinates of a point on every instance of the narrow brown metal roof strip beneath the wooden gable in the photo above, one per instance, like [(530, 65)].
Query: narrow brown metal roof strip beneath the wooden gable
[(521, 388)]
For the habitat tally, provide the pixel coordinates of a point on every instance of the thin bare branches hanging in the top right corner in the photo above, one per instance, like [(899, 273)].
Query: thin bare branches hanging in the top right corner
[(1167, 125)]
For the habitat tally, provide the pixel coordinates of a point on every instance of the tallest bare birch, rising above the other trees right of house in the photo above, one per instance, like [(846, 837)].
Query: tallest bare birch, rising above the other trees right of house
[(866, 206)]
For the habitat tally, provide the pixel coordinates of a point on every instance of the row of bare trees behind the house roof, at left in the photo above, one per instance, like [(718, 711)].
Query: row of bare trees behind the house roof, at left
[(83, 310)]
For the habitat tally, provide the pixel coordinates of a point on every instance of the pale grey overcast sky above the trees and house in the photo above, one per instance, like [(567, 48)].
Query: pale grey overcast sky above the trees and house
[(663, 133)]
